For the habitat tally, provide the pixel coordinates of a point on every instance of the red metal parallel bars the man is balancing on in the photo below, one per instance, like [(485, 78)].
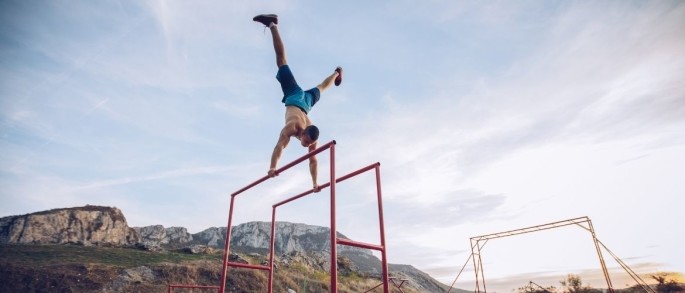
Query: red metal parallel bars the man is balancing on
[(334, 239)]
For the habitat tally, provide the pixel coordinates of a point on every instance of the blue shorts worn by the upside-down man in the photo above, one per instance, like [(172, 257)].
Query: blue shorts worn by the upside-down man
[(293, 95)]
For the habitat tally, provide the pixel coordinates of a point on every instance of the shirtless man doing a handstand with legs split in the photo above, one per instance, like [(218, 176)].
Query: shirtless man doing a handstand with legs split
[(297, 103)]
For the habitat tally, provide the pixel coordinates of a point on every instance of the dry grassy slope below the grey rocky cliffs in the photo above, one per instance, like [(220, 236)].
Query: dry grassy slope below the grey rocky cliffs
[(69, 268)]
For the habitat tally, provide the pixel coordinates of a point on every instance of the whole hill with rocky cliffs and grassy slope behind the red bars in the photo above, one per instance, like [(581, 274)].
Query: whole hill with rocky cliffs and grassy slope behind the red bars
[(92, 249)]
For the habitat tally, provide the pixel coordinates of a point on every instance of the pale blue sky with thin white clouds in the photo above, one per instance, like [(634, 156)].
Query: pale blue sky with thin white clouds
[(486, 116)]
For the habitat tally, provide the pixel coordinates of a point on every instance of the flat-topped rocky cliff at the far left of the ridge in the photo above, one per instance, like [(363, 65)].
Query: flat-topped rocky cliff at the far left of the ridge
[(89, 225)]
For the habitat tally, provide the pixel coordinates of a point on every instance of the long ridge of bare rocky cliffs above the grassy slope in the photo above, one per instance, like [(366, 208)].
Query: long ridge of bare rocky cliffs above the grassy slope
[(303, 246)]
